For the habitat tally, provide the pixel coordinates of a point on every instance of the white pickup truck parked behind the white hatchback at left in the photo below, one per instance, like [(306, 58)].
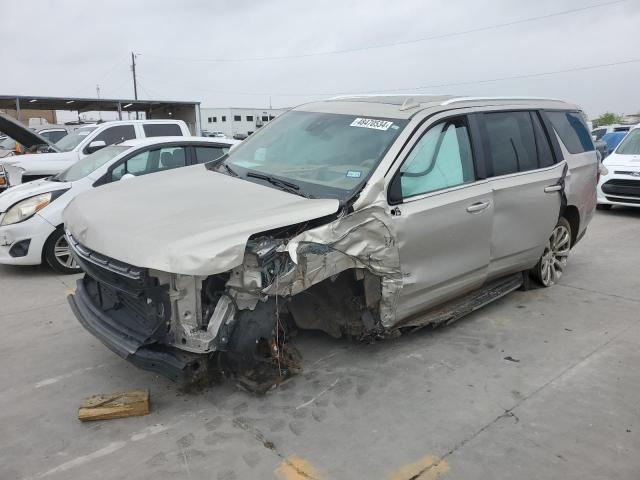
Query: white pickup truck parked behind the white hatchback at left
[(84, 141)]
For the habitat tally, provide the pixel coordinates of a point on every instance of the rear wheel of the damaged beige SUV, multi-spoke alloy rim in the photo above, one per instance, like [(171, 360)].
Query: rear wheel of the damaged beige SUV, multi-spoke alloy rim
[(553, 261)]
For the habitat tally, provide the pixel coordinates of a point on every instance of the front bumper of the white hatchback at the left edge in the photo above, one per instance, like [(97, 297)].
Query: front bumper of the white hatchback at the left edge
[(36, 229)]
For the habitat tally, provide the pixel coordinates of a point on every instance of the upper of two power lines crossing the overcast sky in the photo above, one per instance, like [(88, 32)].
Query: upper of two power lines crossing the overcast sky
[(393, 44)]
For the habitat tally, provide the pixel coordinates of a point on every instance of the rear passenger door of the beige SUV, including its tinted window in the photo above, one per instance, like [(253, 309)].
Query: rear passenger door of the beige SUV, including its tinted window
[(525, 179)]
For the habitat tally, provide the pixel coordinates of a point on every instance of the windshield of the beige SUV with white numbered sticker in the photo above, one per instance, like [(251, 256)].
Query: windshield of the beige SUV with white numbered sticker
[(316, 154)]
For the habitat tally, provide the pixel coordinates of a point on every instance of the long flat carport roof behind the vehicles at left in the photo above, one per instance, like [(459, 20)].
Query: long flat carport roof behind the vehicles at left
[(88, 104)]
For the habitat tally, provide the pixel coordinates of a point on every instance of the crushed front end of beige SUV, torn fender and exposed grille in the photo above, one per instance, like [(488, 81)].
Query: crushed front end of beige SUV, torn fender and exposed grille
[(339, 275)]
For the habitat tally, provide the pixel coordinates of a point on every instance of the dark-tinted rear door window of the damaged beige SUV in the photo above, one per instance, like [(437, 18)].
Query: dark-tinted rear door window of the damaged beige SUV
[(510, 142)]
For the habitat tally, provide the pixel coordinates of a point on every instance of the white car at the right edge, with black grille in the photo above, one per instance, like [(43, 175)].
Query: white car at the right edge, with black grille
[(620, 180)]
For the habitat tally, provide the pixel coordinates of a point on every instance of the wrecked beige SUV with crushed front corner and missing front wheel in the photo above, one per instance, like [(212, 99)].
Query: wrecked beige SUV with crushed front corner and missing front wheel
[(357, 216)]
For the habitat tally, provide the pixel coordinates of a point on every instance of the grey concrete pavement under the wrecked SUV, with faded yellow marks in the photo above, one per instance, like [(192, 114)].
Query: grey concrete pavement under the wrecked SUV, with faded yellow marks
[(441, 403)]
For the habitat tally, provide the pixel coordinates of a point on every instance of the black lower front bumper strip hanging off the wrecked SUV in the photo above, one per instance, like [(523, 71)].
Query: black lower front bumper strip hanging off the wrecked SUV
[(170, 362)]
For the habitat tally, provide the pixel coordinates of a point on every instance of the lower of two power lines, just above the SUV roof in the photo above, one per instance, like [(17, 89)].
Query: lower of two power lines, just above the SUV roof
[(404, 89)]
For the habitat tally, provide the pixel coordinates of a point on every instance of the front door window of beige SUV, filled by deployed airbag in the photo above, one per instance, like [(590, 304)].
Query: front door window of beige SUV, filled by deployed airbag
[(441, 159)]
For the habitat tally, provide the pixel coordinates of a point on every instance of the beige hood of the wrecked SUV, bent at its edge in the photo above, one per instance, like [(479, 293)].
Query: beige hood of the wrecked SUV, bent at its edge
[(190, 220)]
